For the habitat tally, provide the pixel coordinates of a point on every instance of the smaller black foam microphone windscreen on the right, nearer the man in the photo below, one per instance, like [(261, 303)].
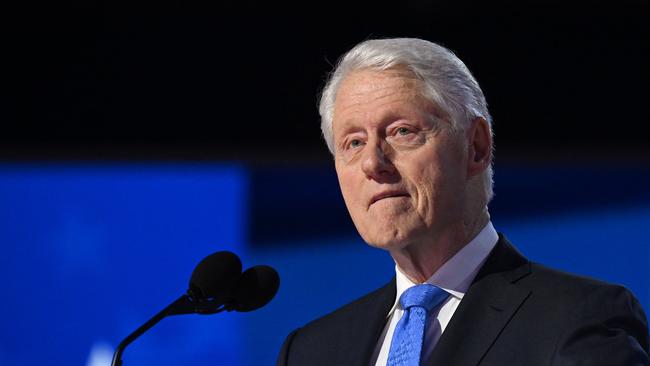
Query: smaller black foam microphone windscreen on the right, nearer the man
[(257, 286)]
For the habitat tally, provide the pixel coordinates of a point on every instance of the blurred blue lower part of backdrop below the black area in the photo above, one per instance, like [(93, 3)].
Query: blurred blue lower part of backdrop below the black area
[(91, 251)]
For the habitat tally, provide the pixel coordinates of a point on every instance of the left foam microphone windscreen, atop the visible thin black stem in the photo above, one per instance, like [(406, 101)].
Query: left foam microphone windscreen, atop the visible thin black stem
[(216, 276)]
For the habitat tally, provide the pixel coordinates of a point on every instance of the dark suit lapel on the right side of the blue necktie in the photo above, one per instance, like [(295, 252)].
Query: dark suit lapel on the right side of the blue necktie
[(491, 301)]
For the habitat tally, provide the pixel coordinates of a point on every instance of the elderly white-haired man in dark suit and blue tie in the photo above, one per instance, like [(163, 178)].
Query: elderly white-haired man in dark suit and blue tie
[(411, 137)]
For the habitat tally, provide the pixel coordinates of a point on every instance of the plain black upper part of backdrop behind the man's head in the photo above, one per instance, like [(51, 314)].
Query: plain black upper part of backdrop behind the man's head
[(240, 79)]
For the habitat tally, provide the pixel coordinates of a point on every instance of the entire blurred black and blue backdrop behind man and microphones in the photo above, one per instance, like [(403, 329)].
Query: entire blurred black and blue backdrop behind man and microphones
[(139, 137)]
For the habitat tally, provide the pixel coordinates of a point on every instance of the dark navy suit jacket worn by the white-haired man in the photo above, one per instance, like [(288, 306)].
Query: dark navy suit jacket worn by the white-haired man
[(514, 313)]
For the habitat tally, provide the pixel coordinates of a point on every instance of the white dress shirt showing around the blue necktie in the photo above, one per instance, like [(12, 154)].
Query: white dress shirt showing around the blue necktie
[(454, 276)]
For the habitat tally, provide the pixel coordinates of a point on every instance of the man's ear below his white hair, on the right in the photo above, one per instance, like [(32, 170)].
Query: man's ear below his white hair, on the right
[(479, 147)]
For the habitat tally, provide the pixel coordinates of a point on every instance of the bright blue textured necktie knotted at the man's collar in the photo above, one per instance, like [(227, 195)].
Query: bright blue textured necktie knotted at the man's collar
[(406, 345)]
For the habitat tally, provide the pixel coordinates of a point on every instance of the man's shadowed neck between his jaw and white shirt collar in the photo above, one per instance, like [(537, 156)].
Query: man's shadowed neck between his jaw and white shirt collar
[(419, 261)]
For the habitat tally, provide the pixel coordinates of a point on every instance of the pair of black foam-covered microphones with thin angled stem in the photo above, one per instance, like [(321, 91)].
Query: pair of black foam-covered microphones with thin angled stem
[(217, 284)]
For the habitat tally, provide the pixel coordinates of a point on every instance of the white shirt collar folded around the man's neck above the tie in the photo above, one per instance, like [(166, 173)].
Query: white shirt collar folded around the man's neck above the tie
[(459, 271)]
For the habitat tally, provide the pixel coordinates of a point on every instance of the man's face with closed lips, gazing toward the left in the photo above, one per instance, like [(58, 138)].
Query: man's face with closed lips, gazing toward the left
[(401, 166)]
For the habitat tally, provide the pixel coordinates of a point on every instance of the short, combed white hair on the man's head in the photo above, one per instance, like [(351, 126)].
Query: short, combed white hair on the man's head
[(448, 83)]
